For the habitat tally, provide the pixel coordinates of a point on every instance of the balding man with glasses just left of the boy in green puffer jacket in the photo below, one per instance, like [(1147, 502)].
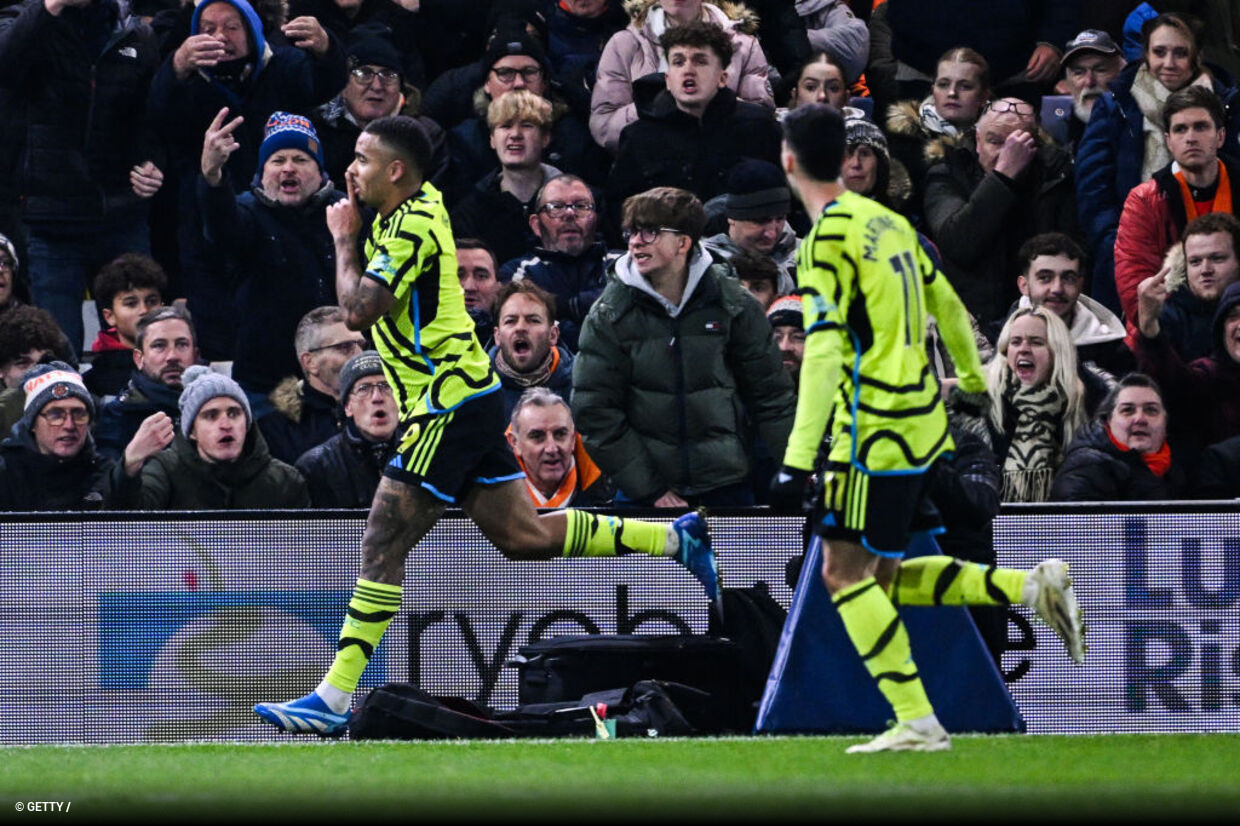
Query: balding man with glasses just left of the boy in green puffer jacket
[(571, 262)]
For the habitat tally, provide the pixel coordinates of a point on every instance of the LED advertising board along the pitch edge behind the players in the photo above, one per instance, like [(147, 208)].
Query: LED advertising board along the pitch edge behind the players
[(169, 627)]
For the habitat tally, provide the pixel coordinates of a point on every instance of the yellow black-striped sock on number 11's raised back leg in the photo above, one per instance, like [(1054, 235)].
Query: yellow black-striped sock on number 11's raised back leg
[(944, 581)]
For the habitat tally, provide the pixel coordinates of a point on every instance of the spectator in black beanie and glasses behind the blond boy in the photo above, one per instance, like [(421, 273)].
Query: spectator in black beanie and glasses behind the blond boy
[(518, 61)]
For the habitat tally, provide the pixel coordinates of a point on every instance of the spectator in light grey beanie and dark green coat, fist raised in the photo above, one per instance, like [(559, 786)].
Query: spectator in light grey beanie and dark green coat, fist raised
[(219, 461)]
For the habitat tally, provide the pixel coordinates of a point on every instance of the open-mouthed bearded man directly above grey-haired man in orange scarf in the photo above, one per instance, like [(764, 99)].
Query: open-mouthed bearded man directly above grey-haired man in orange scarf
[(528, 352)]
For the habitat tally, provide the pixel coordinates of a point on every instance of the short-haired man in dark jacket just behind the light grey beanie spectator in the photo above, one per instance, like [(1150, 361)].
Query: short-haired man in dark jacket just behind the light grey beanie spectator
[(164, 348)]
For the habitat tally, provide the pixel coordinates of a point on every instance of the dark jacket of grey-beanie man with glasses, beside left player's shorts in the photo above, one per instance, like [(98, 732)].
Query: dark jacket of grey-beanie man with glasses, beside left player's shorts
[(345, 471)]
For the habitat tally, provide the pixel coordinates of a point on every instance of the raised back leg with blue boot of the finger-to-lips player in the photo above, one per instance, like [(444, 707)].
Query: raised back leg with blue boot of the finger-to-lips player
[(511, 523)]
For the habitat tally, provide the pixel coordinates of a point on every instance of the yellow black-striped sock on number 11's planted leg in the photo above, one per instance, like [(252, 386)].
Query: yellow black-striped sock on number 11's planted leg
[(882, 642)]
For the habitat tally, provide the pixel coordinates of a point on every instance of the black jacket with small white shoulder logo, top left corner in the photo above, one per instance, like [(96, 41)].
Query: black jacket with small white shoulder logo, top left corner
[(74, 91)]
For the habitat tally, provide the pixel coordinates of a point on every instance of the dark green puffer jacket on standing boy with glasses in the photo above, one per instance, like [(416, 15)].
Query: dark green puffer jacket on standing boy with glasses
[(663, 402)]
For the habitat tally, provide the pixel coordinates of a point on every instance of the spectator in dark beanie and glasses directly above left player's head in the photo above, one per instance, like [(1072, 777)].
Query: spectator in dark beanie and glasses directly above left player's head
[(378, 86)]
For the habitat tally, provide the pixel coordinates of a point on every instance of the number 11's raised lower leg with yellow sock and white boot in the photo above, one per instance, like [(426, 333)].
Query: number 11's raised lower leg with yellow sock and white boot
[(945, 581)]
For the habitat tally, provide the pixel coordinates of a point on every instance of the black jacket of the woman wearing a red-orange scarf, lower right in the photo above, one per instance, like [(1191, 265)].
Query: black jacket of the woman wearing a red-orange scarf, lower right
[(1096, 471)]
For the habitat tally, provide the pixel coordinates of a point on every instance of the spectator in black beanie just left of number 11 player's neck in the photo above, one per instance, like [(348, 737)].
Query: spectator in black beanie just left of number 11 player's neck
[(757, 206)]
